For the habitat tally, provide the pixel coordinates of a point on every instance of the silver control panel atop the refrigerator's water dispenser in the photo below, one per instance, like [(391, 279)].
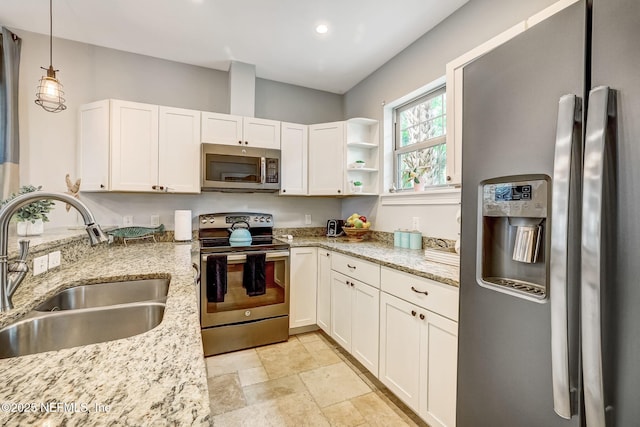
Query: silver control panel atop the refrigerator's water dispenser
[(515, 199)]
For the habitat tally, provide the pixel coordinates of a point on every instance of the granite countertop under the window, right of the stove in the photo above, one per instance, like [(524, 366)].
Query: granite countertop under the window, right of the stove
[(408, 260)]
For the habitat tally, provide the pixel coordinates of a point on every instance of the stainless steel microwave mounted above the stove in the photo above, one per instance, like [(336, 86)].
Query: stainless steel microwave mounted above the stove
[(230, 168)]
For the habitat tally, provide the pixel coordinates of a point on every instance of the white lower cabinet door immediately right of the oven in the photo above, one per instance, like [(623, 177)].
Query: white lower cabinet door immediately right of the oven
[(303, 282)]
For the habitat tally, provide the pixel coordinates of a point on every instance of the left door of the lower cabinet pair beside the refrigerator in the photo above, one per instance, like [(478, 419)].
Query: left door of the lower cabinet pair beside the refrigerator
[(401, 332)]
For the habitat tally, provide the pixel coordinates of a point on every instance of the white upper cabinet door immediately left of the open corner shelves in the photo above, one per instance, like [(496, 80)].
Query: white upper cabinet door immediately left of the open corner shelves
[(326, 159)]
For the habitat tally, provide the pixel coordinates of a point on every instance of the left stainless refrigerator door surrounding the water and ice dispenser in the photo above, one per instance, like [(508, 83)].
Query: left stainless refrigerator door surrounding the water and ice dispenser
[(510, 110)]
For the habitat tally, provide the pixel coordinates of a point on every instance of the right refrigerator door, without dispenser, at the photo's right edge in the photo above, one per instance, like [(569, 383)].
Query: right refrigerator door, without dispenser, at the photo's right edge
[(616, 63)]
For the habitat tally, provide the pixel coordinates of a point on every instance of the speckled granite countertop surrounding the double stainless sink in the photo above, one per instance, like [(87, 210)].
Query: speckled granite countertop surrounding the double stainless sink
[(155, 378)]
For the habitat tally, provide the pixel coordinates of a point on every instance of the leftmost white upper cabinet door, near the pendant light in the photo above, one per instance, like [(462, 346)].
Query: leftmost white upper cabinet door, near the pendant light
[(93, 133)]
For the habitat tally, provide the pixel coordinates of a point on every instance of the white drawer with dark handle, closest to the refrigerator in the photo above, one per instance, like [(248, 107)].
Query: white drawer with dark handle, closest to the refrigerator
[(429, 294)]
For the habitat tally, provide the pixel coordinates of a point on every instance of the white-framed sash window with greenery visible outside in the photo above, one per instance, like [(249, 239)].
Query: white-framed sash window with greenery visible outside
[(420, 141)]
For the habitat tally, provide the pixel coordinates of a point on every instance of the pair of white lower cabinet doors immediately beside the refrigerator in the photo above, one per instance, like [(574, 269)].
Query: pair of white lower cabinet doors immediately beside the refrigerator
[(418, 359)]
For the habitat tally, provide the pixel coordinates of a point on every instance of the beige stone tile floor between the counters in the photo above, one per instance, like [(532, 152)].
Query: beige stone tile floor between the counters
[(306, 381)]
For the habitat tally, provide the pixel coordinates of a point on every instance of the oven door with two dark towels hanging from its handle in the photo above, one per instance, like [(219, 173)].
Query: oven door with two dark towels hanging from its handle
[(240, 301)]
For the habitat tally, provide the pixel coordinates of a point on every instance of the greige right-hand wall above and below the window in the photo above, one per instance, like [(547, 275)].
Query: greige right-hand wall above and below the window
[(419, 64)]
